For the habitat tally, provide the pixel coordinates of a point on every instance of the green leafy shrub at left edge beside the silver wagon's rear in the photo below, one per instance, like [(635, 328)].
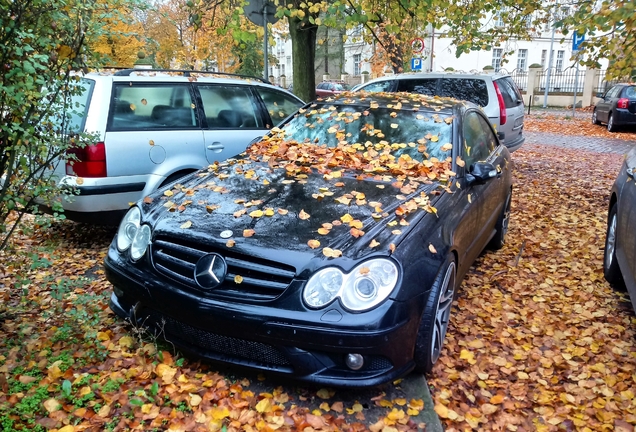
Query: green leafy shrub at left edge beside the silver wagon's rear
[(43, 44)]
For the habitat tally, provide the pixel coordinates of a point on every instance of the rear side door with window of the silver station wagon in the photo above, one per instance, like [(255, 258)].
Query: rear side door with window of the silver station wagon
[(232, 119)]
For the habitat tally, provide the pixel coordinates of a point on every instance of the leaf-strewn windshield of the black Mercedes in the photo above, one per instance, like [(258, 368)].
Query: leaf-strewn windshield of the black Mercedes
[(402, 131)]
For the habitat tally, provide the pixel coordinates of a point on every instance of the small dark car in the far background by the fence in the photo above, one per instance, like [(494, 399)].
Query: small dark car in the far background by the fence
[(617, 107)]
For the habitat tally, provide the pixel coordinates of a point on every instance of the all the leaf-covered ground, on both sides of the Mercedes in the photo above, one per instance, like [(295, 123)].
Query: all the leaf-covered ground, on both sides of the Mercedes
[(538, 339)]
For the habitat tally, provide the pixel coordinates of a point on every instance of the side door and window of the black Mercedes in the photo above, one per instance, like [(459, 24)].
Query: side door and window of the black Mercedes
[(487, 197)]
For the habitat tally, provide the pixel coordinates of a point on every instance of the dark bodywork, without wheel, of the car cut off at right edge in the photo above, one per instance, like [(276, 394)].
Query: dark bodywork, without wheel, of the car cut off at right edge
[(626, 225)]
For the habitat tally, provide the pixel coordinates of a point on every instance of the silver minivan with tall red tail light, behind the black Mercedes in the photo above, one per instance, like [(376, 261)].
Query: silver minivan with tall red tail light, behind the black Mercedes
[(496, 93)]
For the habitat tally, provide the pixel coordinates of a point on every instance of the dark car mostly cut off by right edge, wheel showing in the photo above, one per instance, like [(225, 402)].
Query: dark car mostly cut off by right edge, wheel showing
[(619, 264)]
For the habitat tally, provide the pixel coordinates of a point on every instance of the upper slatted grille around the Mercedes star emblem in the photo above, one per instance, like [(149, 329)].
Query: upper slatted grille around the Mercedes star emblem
[(262, 279)]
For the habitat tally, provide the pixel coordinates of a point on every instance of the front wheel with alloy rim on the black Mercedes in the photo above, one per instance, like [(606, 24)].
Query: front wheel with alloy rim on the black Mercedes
[(435, 318)]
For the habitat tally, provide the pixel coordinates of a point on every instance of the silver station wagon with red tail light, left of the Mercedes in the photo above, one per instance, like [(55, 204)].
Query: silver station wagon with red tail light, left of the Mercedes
[(155, 126)]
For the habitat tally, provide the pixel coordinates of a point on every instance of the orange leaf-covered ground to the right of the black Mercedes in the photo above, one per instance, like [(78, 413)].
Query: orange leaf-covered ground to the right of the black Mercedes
[(538, 339)]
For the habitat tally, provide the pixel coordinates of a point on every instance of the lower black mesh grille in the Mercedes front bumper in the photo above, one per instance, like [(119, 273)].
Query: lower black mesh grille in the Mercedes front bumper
[(221, 345)]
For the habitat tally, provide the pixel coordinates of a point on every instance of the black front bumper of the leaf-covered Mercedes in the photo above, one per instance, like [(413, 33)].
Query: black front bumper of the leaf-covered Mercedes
[(306, 344)]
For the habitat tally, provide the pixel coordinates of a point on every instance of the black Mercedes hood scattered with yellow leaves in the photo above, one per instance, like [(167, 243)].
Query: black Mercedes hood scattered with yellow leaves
[(263, 212)]
